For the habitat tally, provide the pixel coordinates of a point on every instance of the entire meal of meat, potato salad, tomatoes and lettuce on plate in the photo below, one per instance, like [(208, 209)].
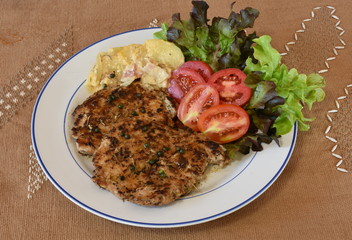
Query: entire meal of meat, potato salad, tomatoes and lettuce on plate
[(232, 88)]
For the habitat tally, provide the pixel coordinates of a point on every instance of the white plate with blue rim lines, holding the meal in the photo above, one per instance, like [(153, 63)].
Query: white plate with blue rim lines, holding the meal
[(225, 190)]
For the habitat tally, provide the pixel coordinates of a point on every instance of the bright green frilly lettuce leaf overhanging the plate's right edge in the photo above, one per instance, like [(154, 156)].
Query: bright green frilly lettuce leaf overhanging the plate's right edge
[(297, 89)]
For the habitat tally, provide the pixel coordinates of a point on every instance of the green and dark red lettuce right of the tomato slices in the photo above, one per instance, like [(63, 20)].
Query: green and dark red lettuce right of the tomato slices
[(279, 95)]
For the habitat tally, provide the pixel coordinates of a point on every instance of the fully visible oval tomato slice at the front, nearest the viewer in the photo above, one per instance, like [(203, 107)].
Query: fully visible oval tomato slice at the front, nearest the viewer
[(224, 123)]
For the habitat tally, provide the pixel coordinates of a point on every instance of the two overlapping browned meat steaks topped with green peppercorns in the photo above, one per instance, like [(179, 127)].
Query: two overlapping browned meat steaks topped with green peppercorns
[(140, 151)]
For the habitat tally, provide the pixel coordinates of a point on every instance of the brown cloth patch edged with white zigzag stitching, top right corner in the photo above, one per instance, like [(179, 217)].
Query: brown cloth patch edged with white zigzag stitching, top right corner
[(322, 24)]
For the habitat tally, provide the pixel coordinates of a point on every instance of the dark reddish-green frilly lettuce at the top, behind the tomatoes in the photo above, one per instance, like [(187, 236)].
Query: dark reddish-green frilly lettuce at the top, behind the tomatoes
[(222, 44)]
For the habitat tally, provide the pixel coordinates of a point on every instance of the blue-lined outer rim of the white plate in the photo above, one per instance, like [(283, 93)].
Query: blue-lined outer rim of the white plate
[(136, 223)]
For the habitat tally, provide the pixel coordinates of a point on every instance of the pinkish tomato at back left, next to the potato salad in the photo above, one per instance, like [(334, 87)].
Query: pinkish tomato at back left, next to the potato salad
[(181, 81)]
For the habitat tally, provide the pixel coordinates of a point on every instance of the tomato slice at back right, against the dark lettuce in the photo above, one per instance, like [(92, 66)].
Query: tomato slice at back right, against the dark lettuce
[(231, 87)]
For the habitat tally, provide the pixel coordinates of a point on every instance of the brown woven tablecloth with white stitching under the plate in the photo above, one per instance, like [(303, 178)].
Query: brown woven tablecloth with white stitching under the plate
[(311, 199)]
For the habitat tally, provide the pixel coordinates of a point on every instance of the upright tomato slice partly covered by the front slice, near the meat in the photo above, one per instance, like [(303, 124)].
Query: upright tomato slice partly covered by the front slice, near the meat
[(197, 100)]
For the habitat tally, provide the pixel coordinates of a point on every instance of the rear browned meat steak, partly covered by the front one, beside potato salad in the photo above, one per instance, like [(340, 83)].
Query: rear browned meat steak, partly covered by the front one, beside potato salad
[(92, 118)]
